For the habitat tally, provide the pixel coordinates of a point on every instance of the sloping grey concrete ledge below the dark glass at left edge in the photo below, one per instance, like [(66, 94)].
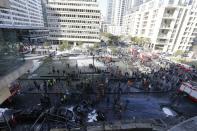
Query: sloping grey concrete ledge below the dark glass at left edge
[(6, 80)]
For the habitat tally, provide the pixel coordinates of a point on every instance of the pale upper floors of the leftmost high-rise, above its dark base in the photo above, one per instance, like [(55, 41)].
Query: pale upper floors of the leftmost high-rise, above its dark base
[(21, 14)]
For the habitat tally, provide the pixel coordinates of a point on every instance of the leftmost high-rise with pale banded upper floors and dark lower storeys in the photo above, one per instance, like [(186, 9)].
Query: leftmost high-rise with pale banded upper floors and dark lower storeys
[(23, 20)]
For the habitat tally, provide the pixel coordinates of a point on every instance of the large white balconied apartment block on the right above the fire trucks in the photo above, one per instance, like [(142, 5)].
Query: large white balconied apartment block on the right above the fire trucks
[(170, 24)]
